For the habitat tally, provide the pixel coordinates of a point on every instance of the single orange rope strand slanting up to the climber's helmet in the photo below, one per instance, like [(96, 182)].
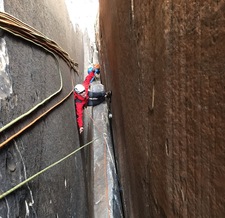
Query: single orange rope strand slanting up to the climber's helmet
[(34, 121)]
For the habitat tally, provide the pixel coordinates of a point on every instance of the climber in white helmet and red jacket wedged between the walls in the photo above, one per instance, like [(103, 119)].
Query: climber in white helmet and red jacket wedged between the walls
[(83, 97)]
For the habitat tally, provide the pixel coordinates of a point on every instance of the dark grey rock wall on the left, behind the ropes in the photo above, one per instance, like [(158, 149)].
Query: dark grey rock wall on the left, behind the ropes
[(34, 75)]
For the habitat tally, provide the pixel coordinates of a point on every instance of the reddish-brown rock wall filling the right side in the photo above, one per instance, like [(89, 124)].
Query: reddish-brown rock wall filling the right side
[(164, 61)]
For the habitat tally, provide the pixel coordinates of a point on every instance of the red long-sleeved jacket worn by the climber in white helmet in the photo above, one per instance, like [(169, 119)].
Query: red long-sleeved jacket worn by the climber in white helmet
[(81, 102)]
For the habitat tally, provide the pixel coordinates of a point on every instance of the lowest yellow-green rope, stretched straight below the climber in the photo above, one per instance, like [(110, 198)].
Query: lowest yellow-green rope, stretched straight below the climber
[(42, 171)]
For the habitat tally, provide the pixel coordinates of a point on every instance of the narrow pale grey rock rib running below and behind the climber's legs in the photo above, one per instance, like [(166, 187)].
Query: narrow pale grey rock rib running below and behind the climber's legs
[(104, 179)]
